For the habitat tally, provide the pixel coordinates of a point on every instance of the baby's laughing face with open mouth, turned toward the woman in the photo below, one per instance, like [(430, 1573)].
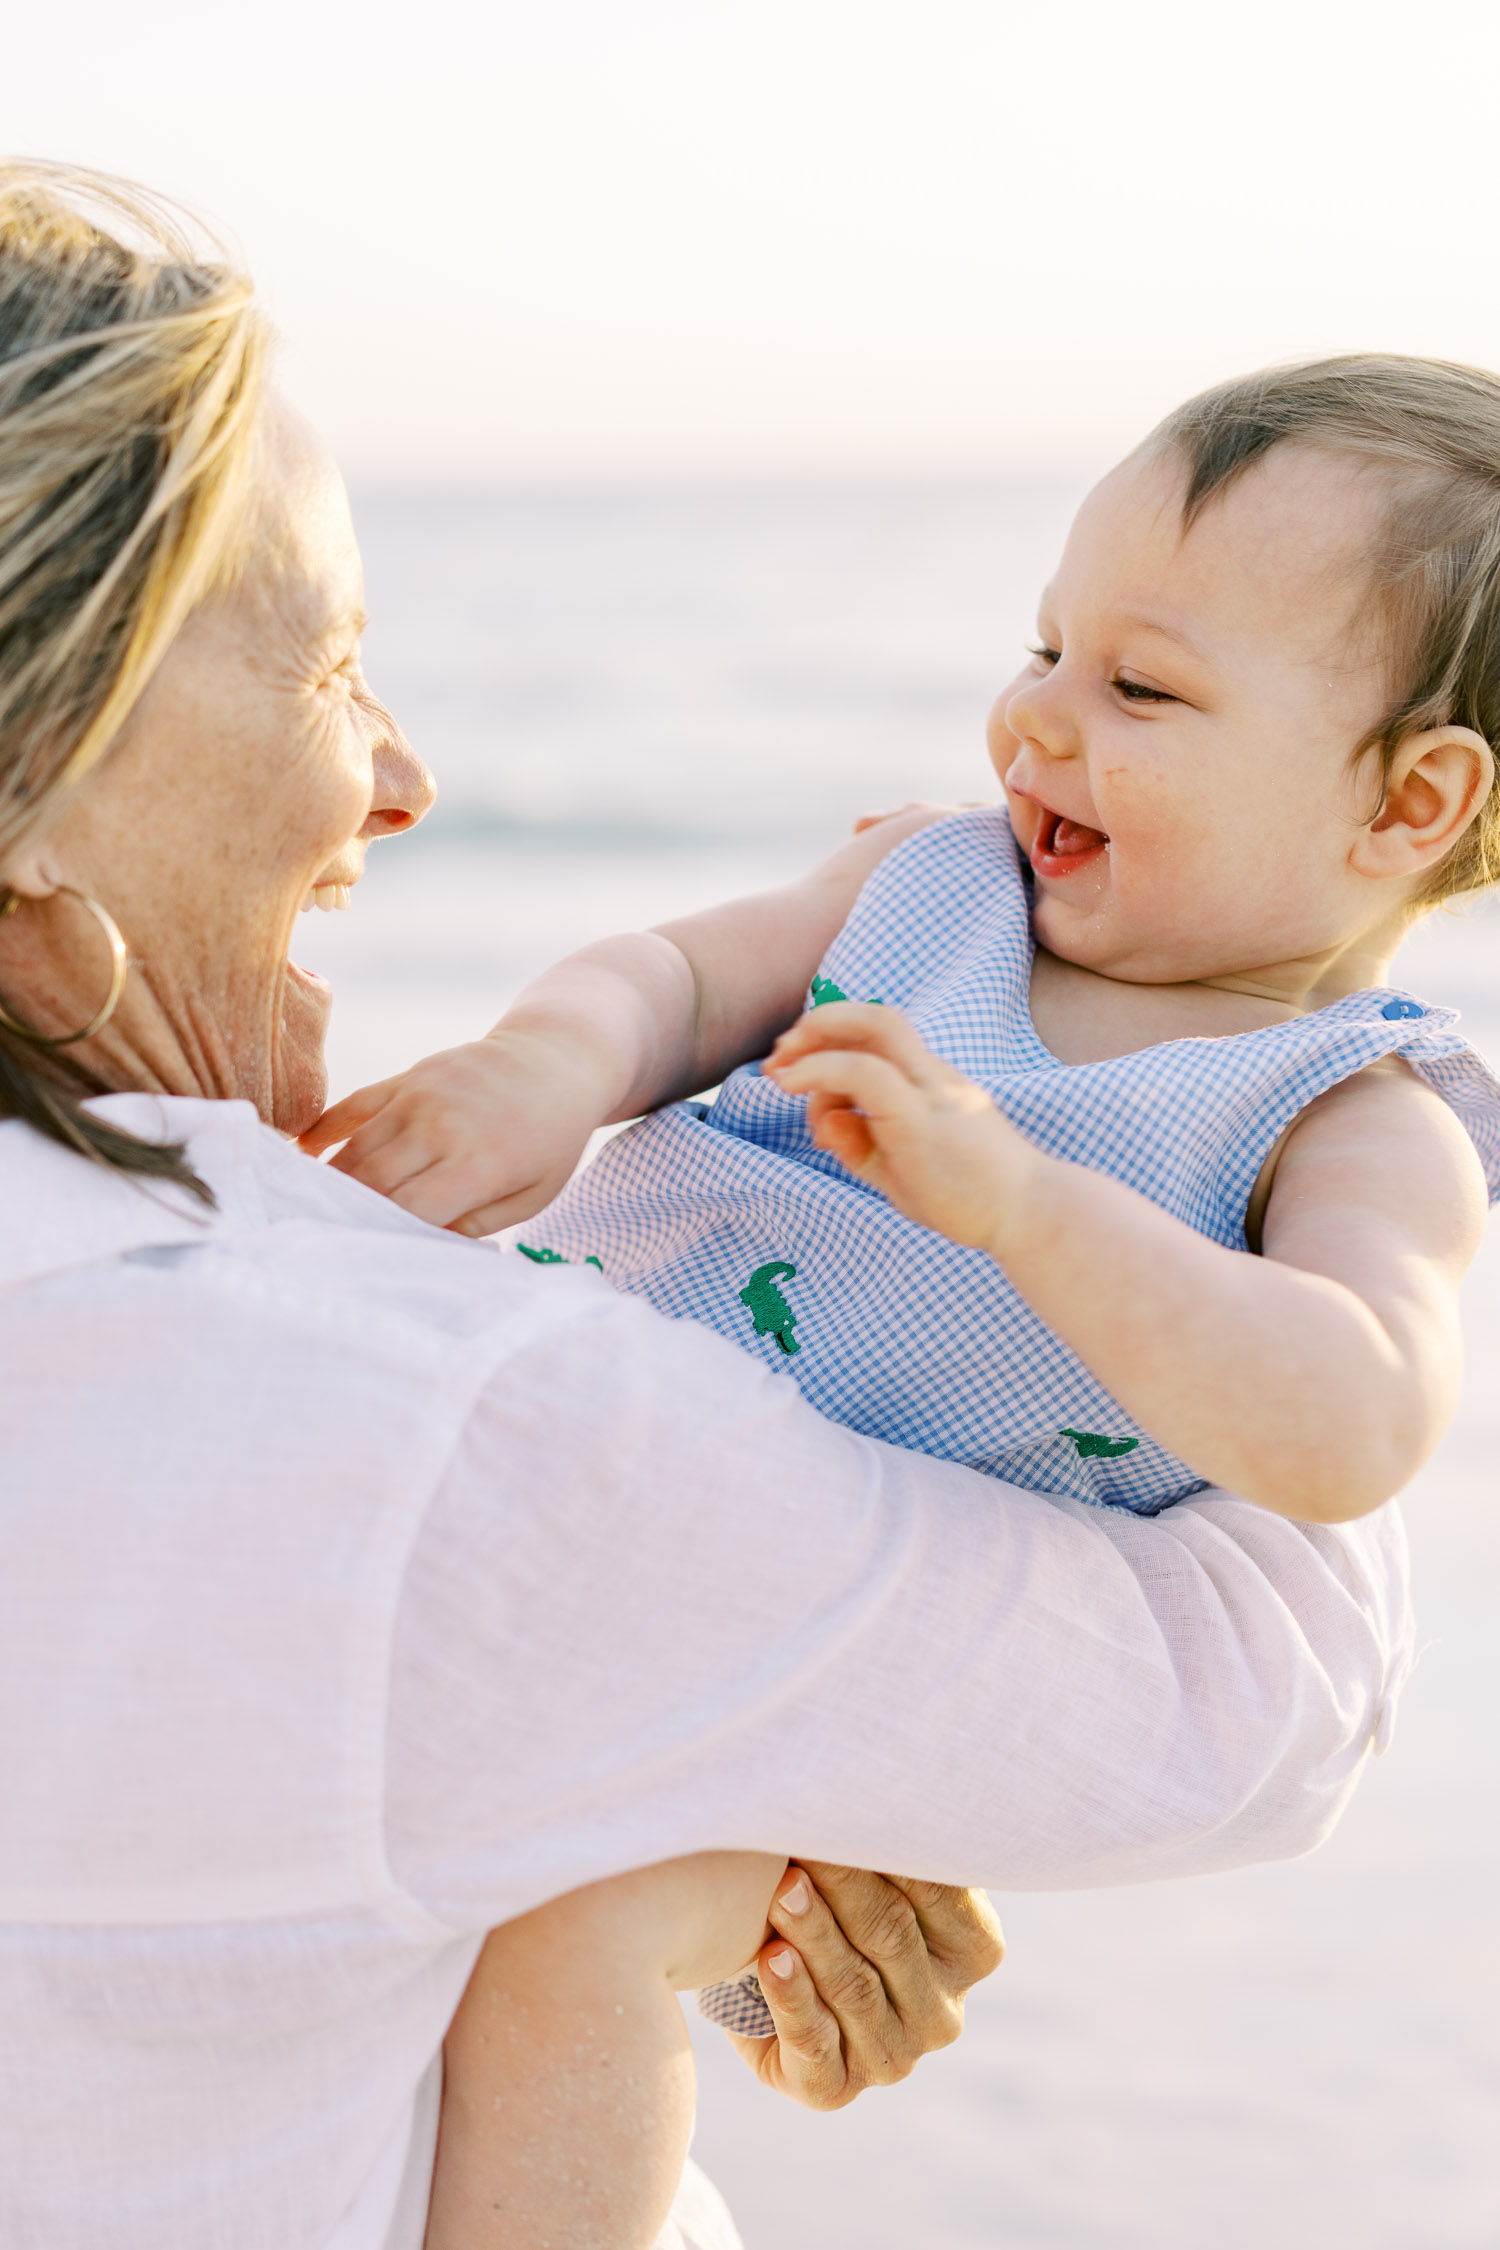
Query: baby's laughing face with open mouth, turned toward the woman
[(1177, 757)]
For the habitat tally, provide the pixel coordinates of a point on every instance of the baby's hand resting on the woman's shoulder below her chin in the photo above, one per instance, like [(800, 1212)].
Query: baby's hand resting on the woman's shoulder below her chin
[(476, 1137)]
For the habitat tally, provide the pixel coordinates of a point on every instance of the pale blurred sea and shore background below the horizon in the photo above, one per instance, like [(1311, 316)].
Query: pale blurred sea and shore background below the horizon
[(638, 703)]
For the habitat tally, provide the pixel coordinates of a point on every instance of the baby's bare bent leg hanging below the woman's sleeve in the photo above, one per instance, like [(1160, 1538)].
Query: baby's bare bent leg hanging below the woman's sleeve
[(568, 2073)]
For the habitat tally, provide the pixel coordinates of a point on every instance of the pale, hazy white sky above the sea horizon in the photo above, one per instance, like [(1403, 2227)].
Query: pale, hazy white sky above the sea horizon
[(795, 237)]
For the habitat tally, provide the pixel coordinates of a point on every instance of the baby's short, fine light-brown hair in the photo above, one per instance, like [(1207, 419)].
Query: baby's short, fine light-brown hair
[(1436, 564)]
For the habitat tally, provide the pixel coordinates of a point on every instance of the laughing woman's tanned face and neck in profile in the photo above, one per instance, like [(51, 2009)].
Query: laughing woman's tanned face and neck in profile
[(257, 766)]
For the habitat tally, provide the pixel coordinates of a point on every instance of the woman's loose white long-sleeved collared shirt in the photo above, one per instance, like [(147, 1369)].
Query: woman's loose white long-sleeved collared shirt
[(365, 1587)]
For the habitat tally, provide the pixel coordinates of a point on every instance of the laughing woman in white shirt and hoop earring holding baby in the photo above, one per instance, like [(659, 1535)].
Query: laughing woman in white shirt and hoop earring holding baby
[(365, 1590)]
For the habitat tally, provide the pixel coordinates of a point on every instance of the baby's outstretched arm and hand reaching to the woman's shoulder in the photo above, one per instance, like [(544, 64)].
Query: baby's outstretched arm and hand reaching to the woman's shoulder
[(485, 1135)]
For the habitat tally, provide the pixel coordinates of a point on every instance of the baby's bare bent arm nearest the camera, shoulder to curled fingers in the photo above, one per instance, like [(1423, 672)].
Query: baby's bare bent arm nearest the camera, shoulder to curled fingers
[(1314, 1378)]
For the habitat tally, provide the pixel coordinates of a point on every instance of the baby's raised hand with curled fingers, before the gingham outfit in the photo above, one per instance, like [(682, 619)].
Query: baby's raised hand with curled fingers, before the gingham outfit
[(894, 1115)]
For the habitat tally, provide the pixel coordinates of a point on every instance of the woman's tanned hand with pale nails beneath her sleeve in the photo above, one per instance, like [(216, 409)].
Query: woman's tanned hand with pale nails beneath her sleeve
[(867, 1977)]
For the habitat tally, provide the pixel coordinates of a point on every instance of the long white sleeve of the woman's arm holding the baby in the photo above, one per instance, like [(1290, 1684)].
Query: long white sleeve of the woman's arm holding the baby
[(660, 1605)]
